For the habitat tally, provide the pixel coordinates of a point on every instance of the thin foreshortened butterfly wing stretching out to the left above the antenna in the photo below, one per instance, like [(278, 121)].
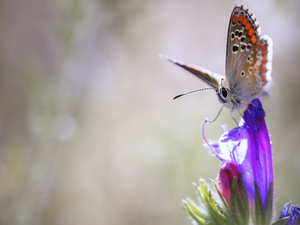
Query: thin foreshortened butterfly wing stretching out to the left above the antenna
[(211, 79)]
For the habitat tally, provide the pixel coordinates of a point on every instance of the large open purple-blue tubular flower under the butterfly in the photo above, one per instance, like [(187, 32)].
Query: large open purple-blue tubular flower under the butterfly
[(249, 147)]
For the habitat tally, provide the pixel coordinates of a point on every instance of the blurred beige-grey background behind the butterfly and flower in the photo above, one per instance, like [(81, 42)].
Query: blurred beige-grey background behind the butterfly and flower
[(89, 131)]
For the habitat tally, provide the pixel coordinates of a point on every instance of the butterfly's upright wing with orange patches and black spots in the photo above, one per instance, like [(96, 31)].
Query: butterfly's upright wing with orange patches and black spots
[(248, 56)]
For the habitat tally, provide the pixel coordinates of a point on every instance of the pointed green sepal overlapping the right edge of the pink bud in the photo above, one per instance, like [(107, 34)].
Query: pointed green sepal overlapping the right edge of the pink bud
[(236, 204)]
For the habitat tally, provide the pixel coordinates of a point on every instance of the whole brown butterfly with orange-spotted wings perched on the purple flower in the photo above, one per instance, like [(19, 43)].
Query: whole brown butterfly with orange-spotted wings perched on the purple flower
[(248, 63)]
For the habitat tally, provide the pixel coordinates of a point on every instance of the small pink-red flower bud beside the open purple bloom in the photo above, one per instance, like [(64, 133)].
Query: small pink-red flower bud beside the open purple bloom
[(225, 178)]
